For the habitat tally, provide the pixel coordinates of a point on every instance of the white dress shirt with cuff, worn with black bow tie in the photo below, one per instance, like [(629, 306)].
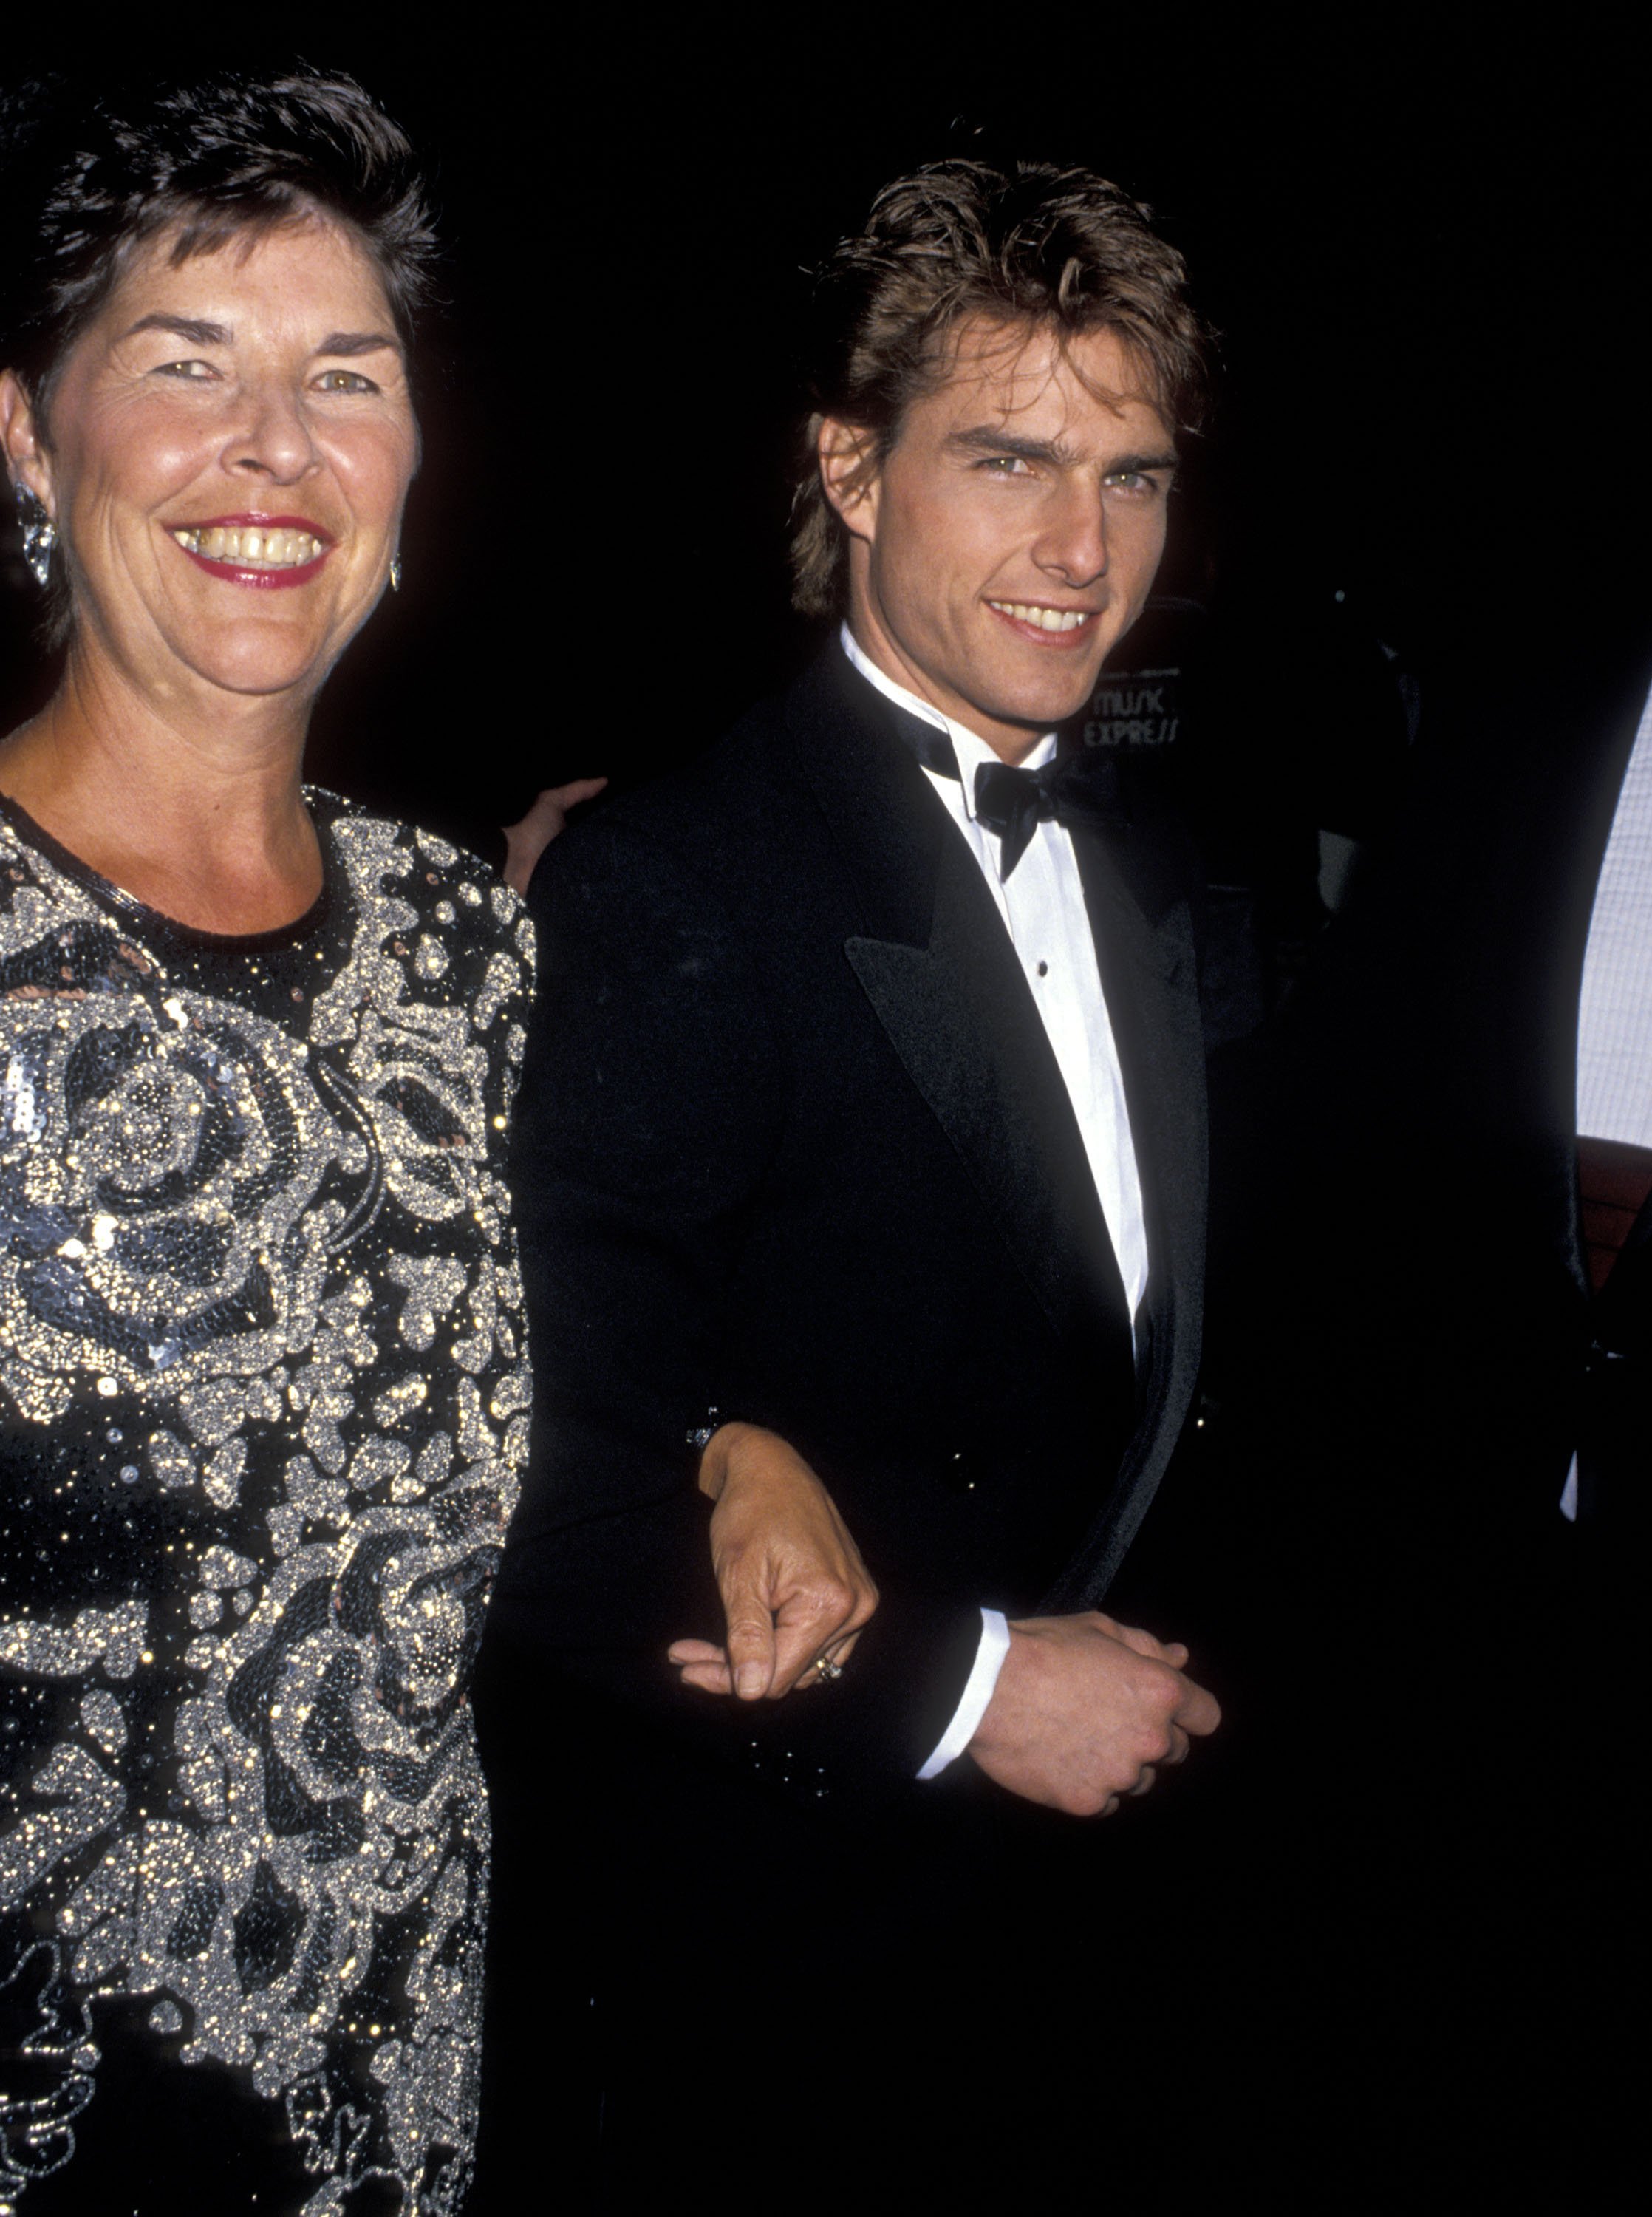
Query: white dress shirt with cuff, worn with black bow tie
[(1043, 910)]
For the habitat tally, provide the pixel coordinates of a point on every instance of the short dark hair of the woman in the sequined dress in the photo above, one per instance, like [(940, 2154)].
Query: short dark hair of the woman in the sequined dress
[(90, 181)]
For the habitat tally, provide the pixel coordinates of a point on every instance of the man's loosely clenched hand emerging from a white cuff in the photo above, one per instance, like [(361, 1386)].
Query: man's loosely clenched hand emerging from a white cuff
[(1085, 1710)]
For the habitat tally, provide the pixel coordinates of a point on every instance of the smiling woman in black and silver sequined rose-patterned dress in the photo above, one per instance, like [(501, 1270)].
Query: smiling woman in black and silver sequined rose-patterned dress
[(263, 1378)]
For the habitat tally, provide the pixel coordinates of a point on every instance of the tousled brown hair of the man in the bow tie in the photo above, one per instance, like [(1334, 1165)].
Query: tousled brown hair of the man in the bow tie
[(1030, 245)]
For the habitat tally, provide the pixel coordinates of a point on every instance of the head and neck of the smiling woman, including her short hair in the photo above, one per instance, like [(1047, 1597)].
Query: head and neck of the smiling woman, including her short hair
[(201, 411)]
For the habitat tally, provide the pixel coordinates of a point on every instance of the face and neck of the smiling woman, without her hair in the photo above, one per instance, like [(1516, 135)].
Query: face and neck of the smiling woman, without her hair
[(221, 427)]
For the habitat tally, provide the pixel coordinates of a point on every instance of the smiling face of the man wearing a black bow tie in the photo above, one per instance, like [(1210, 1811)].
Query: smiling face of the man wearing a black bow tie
[(1012, 533)]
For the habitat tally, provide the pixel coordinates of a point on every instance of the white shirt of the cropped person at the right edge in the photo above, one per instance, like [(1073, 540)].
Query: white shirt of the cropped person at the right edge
[(1615, 1008)]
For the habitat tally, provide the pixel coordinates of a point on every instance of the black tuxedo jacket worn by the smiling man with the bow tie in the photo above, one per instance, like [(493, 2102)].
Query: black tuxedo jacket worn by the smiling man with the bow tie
[(795, 1147)]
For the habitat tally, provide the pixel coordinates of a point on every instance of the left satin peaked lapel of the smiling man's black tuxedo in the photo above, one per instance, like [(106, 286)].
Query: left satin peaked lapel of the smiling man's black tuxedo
[(944, 983)]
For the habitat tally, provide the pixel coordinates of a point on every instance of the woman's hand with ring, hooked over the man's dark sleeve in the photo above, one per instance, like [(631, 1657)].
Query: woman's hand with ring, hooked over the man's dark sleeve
[(795, 1588)]
